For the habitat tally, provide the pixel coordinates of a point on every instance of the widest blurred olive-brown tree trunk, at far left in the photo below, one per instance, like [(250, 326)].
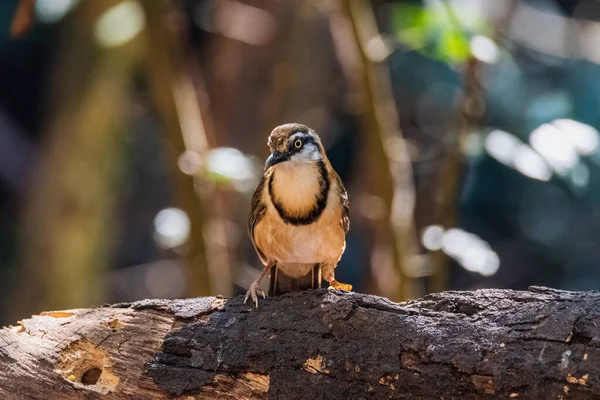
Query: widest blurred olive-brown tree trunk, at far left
[(65, 233)]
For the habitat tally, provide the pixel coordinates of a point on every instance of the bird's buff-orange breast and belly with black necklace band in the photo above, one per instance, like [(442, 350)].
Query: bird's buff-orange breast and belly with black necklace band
[(302, 218)]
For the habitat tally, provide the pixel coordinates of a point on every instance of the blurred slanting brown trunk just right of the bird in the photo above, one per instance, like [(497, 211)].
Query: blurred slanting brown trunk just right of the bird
[(385, 166)]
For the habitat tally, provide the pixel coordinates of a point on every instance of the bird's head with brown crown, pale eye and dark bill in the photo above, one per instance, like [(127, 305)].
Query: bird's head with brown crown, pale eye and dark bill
[(294, 143)]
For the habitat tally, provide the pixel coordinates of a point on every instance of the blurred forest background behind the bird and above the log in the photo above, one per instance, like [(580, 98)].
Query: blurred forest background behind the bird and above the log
[(133, 133)]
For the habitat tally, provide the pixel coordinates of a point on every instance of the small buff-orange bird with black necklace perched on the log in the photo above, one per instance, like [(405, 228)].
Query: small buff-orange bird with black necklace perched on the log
[(299, 215)]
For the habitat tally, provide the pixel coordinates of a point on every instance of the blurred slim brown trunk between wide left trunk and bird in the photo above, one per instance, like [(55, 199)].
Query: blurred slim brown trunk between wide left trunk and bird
[(186, 141)]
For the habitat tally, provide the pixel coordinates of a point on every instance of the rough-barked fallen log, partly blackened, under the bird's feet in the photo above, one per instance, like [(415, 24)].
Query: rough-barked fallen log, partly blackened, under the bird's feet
[(540, 344)]
